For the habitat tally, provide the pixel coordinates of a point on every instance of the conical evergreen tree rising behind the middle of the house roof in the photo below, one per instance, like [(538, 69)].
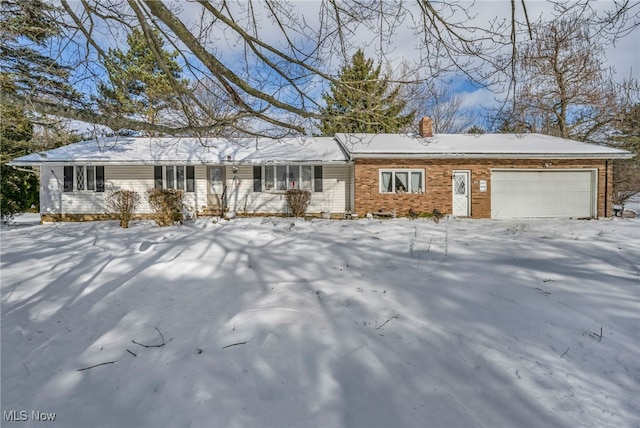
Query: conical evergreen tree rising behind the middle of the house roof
[(363, 101)]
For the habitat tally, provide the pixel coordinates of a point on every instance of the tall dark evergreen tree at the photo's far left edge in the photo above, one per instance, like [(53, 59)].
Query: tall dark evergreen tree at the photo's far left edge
[(26, 27)]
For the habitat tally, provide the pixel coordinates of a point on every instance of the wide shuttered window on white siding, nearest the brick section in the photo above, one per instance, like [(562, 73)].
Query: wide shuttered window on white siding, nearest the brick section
[(280, 178)]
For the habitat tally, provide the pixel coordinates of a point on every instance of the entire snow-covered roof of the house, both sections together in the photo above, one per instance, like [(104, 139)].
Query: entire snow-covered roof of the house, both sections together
[(342, 148)]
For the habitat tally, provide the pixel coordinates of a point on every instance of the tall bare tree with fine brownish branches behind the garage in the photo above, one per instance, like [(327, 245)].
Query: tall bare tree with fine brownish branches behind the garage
[(564, 87)]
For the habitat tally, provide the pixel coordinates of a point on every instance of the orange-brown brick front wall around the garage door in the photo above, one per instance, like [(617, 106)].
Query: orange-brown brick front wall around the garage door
[(438, 183)]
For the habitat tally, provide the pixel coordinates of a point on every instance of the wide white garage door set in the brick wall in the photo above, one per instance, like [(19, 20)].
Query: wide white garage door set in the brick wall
[(547, 193)]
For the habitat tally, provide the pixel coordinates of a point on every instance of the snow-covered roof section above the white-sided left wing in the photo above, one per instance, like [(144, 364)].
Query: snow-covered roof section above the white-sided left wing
[(123, 150)]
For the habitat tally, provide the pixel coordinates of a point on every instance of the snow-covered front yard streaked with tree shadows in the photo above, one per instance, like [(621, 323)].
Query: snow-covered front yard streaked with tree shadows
[(276, 323)]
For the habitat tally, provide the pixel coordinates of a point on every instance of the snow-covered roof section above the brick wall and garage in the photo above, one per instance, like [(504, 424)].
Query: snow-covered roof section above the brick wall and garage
[(473, 146)]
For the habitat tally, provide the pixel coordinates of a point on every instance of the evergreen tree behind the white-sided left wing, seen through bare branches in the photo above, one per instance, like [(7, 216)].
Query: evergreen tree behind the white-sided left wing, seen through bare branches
[(138, 82)]
